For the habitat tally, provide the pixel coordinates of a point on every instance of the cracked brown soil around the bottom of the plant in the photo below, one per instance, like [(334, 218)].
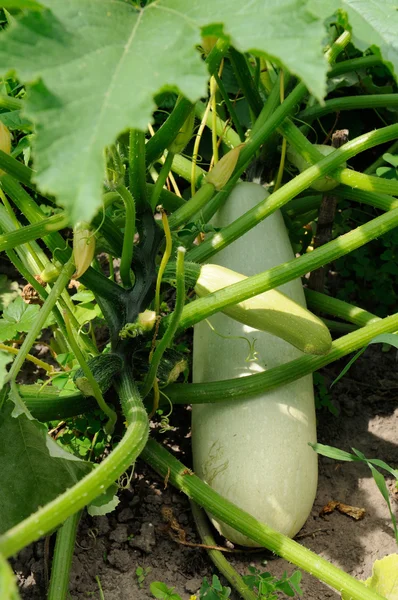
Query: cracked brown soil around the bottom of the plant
[(112, 547)]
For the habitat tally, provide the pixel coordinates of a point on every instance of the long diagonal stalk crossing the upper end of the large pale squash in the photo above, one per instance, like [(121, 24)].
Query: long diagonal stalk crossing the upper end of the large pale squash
[(291, 189)]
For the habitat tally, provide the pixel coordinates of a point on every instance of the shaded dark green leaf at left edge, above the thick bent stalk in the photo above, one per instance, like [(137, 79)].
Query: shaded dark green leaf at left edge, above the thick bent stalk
[(34, 469)]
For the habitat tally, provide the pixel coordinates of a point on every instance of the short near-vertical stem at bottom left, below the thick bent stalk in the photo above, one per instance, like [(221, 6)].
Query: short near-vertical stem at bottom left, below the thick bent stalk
[(62, 561)]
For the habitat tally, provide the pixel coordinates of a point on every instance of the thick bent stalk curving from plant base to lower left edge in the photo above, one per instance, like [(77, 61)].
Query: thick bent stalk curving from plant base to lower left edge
[(92, 485)]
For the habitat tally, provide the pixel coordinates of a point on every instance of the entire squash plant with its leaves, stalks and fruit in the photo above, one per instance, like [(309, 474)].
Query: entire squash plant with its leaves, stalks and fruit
[(83, 175)]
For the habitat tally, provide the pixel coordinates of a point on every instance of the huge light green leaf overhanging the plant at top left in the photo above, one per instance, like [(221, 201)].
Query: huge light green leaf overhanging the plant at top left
[(95, 66)]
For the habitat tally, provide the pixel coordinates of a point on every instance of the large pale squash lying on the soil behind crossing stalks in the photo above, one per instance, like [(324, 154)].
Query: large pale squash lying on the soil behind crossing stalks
[(255, 451)]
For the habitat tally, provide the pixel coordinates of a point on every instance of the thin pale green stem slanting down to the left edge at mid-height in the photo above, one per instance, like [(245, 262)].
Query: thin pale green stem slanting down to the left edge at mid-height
[(42, 317)]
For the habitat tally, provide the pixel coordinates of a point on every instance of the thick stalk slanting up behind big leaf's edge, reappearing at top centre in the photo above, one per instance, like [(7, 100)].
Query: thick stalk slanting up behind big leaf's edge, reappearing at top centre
[(170, 128)]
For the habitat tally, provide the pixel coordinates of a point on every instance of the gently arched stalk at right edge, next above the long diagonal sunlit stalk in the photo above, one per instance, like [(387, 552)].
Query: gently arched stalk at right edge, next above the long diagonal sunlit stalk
[(348, 103)]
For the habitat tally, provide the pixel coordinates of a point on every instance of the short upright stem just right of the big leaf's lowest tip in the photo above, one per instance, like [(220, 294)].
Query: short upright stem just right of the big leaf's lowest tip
[(137, 167)]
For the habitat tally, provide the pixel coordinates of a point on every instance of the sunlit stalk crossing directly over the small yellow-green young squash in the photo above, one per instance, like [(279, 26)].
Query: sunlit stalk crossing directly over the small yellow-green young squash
[(204, 307)]
